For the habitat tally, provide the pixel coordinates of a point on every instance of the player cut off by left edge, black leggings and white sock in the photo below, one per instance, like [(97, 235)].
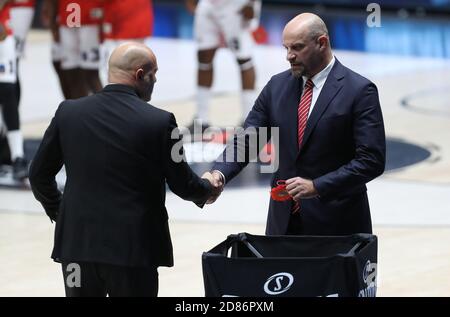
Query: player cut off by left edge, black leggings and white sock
[(8, 99)]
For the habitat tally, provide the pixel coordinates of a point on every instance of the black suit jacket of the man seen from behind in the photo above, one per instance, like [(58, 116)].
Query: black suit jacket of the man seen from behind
[(116, 150)]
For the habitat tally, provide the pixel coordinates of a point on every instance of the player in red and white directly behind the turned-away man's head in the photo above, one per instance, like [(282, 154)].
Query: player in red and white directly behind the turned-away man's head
[(123, 21)]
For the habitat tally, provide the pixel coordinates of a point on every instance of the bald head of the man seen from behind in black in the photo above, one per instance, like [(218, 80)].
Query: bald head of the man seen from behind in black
[(133, 64)]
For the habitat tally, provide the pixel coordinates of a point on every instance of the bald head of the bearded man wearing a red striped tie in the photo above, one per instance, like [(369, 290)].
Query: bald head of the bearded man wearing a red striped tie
[(306, 40)]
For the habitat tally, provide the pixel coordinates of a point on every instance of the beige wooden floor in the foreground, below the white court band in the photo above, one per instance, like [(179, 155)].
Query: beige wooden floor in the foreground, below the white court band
[(412, 261)]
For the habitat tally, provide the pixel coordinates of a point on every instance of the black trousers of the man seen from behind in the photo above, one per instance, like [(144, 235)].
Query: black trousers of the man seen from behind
[(83, 279)]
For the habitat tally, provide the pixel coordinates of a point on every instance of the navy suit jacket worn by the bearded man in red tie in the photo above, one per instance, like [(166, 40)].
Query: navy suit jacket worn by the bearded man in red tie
[(343, 149)]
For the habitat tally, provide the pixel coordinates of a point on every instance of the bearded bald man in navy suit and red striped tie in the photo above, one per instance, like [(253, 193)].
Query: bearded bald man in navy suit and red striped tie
[(331, 132)]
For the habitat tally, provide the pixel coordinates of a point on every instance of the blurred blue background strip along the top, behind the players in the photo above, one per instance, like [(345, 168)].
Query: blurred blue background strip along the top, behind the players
[(411, 28)]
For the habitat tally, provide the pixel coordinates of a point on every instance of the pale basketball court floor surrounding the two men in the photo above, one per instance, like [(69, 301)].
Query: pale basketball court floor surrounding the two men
[(410, 203)]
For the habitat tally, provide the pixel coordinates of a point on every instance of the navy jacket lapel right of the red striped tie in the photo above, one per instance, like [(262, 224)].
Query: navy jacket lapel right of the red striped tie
[(330, 89)]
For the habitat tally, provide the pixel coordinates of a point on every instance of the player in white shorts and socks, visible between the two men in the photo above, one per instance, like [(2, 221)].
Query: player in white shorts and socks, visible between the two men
[(232, 22)]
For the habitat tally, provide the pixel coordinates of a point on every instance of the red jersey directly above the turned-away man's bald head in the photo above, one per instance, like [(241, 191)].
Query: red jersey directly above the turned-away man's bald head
[(127, 19)]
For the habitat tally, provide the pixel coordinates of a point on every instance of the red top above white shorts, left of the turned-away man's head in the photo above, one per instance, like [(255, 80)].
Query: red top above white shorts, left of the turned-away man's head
[(90, 10)]
